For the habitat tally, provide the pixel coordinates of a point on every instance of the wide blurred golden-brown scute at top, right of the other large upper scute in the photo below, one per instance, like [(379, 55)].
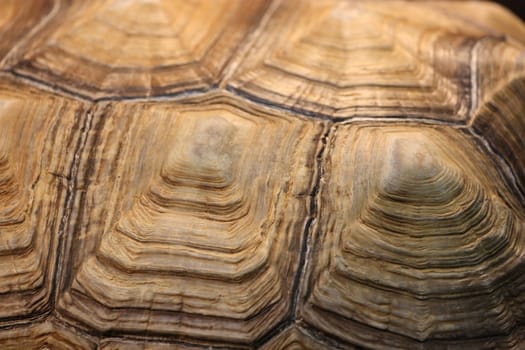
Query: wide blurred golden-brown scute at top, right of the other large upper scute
[(362, 58)]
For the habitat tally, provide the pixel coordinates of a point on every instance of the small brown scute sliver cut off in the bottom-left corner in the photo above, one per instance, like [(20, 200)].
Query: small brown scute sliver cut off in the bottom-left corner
[(46, 335)]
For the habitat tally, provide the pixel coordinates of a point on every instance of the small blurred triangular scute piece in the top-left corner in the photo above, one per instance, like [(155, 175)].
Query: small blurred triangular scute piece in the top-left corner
[(17, 21)]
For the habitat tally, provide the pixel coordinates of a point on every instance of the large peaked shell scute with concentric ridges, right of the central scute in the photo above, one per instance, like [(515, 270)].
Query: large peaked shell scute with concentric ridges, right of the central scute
[(414, 243)]
